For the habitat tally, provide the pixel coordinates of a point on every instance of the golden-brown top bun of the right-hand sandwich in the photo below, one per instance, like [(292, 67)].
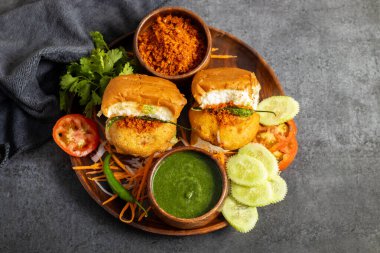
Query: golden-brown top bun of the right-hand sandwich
[(221, 79)]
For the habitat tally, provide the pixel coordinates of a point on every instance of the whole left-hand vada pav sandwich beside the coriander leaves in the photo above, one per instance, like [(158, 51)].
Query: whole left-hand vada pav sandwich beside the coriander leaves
[(142, 112)]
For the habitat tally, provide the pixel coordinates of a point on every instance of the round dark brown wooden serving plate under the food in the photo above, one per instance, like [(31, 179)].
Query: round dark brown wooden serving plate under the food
[(247, 58)]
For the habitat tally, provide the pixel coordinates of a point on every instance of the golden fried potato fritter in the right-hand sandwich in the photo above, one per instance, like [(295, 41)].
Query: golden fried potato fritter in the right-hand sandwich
[(223, 129)]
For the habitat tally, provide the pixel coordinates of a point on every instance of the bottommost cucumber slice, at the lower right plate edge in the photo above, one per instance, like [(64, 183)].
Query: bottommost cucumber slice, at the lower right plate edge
[(242, 218)]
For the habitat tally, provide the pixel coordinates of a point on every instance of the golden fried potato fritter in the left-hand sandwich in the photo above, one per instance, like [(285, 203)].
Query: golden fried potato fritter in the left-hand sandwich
[(140, 137)]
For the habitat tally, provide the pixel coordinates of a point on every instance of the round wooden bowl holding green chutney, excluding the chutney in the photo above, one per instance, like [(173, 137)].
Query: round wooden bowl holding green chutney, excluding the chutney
[(183, 223)]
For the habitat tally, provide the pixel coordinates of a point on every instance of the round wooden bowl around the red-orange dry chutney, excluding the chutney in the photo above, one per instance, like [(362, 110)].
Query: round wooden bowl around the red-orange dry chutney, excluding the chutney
[(181, 12)]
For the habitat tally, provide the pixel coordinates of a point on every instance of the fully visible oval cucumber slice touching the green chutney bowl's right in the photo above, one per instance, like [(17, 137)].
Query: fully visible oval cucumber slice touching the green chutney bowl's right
[(246, 170)]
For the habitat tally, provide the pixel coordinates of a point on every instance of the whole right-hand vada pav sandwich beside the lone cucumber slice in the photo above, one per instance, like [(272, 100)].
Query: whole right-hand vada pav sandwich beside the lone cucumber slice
[(223, 113)]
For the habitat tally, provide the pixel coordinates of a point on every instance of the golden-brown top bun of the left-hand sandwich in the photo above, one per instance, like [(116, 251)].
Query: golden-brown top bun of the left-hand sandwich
[(143, 89)]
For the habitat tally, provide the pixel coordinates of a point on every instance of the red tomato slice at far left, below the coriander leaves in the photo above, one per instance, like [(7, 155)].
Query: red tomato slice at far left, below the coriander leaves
[(76, 135)]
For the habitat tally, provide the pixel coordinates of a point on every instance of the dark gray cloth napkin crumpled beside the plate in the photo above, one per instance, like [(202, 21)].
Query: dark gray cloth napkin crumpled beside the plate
[(36, 40)]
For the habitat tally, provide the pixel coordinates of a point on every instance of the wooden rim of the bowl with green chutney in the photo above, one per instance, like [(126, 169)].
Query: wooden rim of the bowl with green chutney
[(204, 216)]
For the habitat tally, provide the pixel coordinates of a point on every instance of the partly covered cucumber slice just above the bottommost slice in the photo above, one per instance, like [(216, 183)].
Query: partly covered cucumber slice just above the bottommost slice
[(256, 196)]
